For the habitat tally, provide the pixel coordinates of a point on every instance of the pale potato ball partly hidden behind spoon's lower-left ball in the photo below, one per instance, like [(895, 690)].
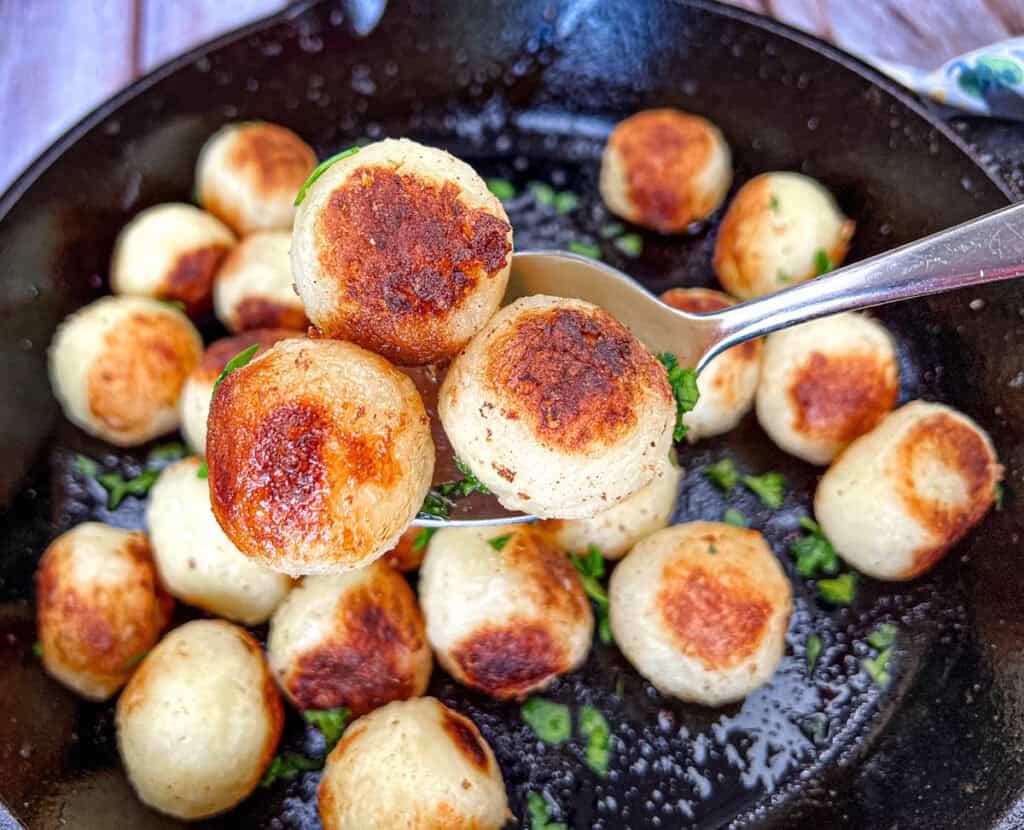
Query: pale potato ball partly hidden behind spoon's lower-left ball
[(197, 562)]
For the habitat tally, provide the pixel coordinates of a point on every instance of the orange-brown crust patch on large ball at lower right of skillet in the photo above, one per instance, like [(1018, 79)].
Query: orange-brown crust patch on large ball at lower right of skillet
[(717, 620)]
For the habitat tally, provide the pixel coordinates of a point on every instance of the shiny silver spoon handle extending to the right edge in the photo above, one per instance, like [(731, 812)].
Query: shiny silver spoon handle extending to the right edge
[(984, 250)]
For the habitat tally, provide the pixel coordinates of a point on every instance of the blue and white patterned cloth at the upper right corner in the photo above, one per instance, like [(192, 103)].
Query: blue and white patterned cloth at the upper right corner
[(987, 82)]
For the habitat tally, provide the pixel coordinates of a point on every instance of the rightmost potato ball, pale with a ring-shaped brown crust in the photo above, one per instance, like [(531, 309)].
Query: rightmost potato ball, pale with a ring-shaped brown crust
[(899, 498)]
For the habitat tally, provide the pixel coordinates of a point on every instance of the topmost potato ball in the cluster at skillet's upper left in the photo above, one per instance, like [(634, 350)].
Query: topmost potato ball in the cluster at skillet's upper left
[(249, 174)]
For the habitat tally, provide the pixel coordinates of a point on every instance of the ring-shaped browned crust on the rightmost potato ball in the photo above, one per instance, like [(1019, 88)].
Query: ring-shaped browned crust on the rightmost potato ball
[(946, 440)]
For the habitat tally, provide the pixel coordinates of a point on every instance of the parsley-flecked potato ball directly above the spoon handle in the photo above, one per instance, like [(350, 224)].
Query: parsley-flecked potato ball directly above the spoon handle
[(782, 229)]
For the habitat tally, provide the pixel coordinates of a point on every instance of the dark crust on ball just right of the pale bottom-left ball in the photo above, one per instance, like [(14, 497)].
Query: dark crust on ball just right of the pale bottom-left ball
[(374, 656)]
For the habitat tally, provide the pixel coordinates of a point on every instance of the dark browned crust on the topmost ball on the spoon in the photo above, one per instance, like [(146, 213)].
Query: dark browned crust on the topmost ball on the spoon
[(405, 254)]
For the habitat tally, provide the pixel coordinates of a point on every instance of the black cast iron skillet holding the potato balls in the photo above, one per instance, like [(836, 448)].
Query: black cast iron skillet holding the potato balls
[(528, 91)]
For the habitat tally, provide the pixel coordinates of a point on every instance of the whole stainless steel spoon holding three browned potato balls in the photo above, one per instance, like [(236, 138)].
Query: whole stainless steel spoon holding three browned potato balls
[(984, 250)]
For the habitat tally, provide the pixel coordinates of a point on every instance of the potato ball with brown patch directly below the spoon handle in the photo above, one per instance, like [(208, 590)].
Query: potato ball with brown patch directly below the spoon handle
[(827, 383)]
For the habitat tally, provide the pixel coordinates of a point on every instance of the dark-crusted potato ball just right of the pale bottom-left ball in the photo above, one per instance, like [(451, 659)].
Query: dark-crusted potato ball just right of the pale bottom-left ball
[(354, 639)]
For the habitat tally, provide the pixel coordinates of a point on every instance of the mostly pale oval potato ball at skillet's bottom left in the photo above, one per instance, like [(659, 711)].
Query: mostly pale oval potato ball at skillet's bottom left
[(200, 721)]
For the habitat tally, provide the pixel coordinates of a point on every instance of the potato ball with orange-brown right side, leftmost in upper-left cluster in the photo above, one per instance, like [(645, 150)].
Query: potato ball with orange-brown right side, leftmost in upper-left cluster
[(117, 367)]
